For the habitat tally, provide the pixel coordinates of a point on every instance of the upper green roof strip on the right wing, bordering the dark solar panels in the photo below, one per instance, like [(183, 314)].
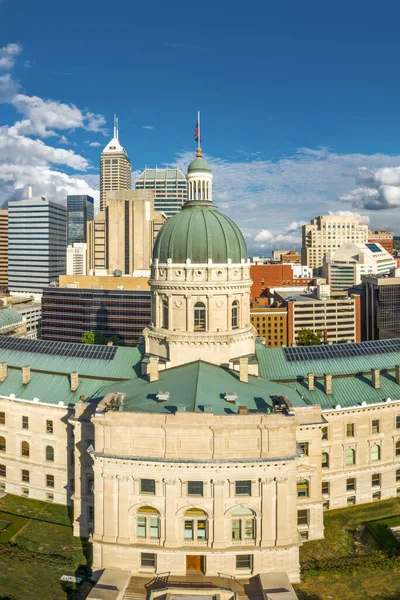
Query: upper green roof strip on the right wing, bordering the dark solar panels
[(274, 366)]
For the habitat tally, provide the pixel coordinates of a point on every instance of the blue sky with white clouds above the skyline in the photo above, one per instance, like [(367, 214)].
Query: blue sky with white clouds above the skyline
[(299, 101)]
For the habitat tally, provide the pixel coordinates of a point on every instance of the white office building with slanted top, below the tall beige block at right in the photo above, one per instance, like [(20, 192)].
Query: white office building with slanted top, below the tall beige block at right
[(344, 267)]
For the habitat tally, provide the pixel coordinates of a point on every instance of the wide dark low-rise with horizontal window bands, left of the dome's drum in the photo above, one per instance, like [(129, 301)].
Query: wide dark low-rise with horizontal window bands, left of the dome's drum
[(118, 315)]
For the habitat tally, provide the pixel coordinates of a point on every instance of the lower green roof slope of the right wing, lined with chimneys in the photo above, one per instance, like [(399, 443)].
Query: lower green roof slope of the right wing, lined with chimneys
[(349, 391)]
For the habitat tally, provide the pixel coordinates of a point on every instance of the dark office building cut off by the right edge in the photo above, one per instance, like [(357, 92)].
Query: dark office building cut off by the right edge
[(381, 307)]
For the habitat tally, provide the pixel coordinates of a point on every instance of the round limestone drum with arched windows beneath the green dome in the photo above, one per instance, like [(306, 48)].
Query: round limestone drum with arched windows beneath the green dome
[(200, 312)]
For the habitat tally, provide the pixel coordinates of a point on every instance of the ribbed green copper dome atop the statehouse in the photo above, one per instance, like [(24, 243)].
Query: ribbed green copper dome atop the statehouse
[(201, 233)]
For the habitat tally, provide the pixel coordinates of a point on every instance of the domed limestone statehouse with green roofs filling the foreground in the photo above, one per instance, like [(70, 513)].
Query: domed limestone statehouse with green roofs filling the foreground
[(200, 451)]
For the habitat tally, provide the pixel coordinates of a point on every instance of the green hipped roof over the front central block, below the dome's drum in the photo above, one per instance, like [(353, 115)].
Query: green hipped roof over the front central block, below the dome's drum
[(197, 385)]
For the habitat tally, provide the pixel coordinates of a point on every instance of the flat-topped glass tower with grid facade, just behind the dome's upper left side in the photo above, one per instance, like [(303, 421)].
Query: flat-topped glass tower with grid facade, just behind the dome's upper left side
[(169, 186)]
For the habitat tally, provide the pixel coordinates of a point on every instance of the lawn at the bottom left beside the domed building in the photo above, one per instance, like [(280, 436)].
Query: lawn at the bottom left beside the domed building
[(37, 548)]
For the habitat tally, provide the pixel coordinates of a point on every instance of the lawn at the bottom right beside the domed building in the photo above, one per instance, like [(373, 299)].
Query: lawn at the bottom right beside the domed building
[(348, 563)]
